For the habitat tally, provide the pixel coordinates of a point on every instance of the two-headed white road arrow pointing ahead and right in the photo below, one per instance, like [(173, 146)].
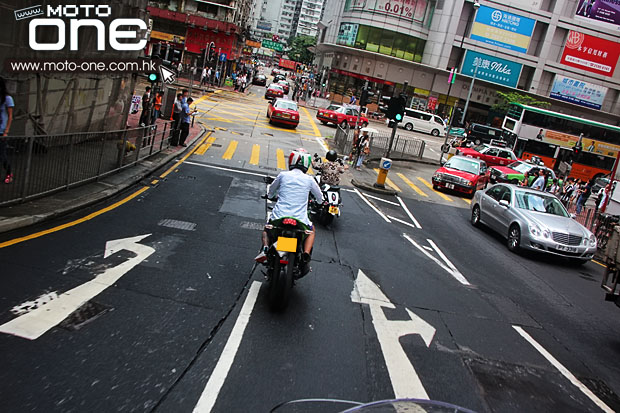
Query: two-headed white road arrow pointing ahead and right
[(405, 381)]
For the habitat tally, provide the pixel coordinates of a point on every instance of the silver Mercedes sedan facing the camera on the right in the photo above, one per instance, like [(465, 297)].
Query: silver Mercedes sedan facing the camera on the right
[(532, 220)]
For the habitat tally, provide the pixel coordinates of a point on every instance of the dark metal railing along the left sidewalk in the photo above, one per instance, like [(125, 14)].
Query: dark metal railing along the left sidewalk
[(41, 165)]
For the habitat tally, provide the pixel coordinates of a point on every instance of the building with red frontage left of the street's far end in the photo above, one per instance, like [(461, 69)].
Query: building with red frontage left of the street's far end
[(191, 25)]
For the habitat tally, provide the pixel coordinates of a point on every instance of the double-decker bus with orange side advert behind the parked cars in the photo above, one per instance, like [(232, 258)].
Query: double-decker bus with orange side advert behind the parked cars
[(552, 137)]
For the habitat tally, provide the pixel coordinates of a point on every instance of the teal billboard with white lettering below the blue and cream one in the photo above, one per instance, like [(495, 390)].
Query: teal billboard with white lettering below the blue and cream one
[(491, 68)]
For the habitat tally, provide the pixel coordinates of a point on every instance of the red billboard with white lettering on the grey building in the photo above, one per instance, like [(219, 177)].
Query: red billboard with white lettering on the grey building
[(591, 53)]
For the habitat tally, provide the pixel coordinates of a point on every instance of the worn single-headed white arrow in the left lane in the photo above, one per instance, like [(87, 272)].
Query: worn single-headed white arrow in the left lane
[(35, 323)]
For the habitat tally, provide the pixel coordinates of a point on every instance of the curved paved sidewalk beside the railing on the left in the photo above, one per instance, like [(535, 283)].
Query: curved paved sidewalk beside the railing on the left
[(66, 201)]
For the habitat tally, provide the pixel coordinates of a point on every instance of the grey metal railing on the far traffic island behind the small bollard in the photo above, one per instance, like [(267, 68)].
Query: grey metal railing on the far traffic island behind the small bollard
[(403, 147)]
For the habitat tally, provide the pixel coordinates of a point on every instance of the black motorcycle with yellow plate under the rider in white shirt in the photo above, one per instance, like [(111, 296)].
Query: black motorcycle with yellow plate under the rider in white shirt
[(284, 262)]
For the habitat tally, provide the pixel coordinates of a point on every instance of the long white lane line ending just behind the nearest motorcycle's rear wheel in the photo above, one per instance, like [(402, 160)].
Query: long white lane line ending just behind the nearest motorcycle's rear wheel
[(218, 376)]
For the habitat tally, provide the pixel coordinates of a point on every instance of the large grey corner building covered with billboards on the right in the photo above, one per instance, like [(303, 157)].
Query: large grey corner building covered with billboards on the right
[(555, 50)]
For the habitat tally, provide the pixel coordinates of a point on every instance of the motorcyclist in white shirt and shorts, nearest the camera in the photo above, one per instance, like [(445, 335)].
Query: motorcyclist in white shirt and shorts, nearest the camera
[(292, 188)]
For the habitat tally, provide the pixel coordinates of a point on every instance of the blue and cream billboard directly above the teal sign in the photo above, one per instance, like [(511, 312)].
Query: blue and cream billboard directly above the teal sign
[(503, 29)]
